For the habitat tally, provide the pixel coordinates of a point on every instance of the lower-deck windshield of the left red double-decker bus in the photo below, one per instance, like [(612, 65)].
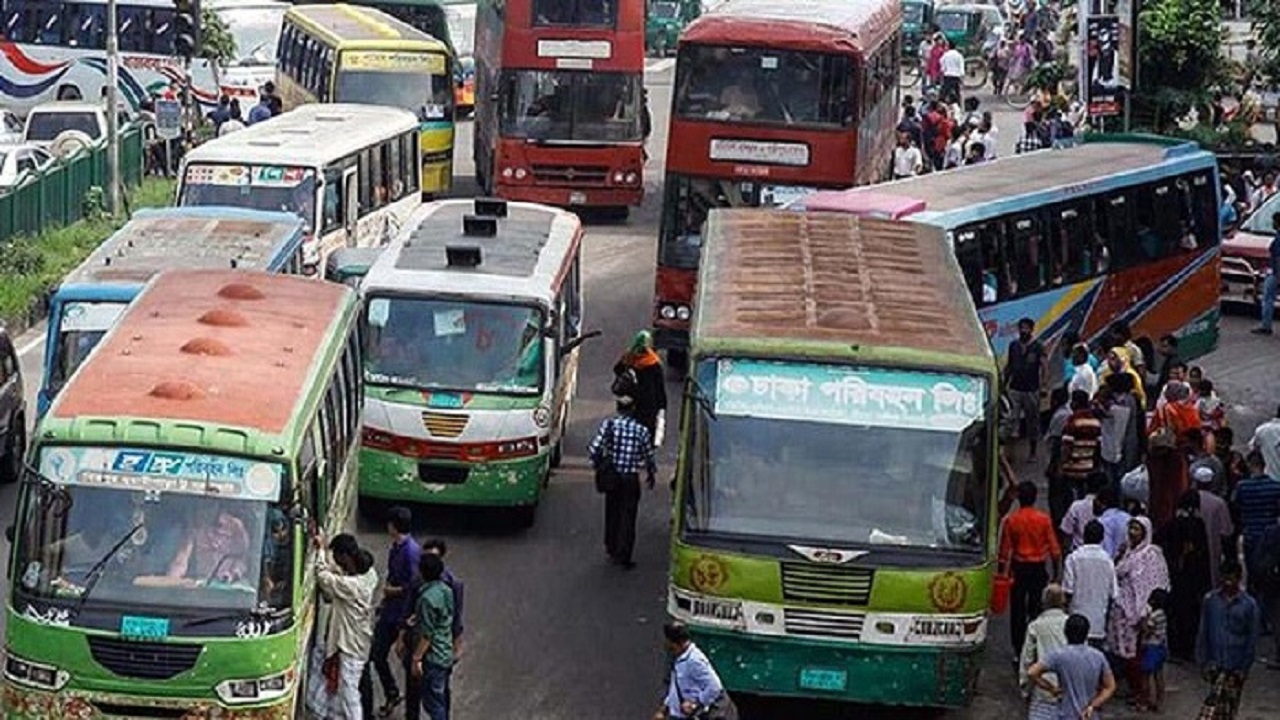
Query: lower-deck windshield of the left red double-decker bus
[(570, 106)]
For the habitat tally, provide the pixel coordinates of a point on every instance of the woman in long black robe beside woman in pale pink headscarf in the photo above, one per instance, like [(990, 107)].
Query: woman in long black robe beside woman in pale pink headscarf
[(1186, 544)]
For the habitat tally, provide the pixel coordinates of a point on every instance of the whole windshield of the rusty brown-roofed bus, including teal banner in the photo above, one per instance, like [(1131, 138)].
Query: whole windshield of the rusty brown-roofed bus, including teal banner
[(874, 464)]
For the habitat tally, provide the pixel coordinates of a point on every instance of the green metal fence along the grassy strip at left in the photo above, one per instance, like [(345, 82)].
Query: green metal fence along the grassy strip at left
[(57, 195)]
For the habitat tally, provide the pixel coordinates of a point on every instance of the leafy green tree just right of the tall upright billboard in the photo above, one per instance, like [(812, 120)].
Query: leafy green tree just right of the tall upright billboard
[(1181, 44)]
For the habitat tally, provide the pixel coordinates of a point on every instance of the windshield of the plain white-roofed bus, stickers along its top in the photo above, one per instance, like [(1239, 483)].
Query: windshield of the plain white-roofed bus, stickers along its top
[(257, 188)]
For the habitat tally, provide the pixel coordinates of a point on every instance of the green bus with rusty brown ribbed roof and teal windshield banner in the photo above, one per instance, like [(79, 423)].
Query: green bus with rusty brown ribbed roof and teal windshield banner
[(835, 514)]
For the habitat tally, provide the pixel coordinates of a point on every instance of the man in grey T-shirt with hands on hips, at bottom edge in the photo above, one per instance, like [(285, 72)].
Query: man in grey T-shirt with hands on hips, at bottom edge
[(1085, 681)]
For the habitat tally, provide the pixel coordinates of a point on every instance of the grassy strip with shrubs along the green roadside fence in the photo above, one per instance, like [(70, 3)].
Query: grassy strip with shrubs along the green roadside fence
[(31, 266)]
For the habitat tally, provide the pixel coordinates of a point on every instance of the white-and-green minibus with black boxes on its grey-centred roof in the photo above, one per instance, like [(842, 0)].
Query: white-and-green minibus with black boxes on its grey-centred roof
[(474, 317)]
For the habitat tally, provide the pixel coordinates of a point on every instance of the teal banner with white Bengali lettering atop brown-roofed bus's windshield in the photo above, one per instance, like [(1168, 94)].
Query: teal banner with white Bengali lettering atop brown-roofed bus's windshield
[(849, 397)]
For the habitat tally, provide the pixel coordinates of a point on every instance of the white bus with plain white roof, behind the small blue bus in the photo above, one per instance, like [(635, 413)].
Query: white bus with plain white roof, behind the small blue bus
[(351, 172)]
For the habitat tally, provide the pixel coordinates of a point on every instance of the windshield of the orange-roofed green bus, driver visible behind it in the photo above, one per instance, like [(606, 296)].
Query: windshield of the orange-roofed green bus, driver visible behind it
[(176, 545)]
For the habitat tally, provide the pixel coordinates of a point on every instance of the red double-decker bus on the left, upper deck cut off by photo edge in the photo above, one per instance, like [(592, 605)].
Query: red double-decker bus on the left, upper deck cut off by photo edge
[(560, 98)]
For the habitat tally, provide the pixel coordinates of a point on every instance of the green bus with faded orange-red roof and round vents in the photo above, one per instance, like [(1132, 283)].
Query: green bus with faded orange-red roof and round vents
[(162, 563)]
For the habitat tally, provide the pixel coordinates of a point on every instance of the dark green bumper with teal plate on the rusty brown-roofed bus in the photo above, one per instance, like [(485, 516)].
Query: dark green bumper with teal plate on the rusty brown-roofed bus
[(879, 675)]
